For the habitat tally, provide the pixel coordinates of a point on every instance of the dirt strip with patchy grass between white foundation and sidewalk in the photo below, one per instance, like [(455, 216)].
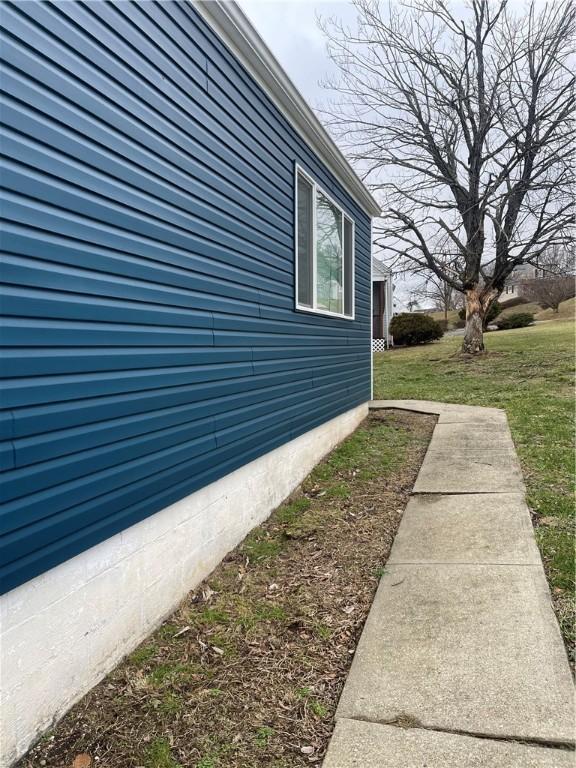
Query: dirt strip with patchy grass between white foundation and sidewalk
[(248, 672)]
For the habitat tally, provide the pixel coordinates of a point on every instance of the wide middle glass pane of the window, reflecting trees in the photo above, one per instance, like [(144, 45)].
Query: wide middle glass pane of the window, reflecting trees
[(328, 255)]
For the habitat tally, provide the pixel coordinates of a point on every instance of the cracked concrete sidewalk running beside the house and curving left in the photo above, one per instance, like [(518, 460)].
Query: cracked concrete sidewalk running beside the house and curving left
[(461, 662)]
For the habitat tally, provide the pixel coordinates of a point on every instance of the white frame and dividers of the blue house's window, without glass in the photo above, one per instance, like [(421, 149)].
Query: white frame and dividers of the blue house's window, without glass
[(314, 309)]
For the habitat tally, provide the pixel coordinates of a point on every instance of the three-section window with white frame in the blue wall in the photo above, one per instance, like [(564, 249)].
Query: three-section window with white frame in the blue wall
[(324, 252)]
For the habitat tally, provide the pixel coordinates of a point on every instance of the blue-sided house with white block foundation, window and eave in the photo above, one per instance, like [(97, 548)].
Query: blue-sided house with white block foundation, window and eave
[(188, 328)]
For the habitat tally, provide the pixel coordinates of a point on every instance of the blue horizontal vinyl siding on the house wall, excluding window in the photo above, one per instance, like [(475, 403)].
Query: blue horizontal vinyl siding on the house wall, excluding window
[(150, 341)]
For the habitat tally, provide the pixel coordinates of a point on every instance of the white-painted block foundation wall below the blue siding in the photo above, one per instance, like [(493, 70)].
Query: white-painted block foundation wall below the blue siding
[(99, 605)]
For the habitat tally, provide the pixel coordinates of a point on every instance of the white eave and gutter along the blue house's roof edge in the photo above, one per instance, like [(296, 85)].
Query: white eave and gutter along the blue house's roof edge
[(234, 28)]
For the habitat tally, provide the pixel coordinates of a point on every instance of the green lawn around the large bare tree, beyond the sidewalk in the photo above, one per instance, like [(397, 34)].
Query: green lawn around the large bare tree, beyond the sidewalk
[(530, 373)]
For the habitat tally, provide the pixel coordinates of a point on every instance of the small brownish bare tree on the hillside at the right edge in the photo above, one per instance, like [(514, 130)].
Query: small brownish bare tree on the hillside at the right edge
[(557, 283)]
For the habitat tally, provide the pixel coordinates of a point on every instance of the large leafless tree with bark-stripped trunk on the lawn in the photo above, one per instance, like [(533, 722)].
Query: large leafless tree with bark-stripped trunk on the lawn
[(464, 127)]
